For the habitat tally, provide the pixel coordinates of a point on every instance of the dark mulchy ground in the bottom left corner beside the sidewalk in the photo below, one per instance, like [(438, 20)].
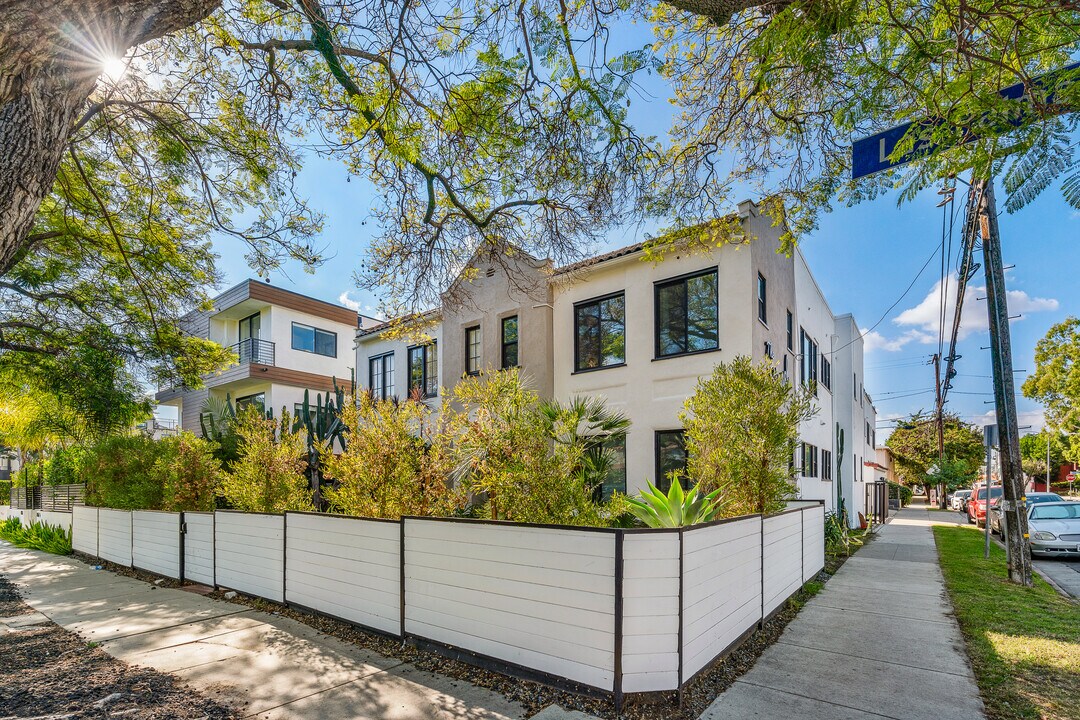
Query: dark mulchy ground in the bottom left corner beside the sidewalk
[(47, 672)]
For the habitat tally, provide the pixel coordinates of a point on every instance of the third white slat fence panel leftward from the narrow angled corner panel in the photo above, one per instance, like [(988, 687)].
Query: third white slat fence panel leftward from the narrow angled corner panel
[(250, 553)]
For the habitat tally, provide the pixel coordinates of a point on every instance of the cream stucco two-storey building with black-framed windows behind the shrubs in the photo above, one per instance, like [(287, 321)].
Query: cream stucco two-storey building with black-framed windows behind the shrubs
[(641, 335)]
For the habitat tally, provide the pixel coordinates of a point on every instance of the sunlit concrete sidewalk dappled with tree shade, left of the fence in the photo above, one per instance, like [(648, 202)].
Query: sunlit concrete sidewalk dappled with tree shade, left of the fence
[(263, 665)]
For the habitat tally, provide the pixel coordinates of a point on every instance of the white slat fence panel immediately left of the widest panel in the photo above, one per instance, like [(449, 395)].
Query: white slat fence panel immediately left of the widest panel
[(345, 567)]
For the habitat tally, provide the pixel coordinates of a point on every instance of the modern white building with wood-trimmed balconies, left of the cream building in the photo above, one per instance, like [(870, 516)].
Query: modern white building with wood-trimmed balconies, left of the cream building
[(286, 343)]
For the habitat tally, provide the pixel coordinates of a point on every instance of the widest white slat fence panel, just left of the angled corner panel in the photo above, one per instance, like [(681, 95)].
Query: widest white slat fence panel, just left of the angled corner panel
[(541, 599)]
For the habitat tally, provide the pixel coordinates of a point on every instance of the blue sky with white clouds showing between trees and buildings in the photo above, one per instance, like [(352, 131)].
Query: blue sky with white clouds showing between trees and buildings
[(865, 259)]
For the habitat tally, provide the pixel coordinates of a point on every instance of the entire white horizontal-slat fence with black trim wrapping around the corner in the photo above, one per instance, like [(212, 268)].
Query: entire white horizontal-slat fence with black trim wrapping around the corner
[(620, 612)]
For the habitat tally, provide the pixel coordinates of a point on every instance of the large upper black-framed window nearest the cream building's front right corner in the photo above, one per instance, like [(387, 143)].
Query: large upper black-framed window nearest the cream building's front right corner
[(687, 315)]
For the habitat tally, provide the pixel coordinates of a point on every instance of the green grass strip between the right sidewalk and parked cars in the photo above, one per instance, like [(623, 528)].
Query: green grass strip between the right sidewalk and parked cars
[(1024, 644)]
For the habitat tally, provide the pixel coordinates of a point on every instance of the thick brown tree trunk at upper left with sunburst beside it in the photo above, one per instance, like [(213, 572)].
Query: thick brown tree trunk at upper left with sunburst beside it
[(51, 56)]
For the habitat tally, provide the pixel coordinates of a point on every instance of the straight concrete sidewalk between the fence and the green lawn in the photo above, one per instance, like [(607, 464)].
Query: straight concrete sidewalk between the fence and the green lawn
[(880, 642)]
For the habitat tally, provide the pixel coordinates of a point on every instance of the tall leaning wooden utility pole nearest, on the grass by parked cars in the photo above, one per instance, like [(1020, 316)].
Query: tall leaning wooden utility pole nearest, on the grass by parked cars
[(1005, 393)]
